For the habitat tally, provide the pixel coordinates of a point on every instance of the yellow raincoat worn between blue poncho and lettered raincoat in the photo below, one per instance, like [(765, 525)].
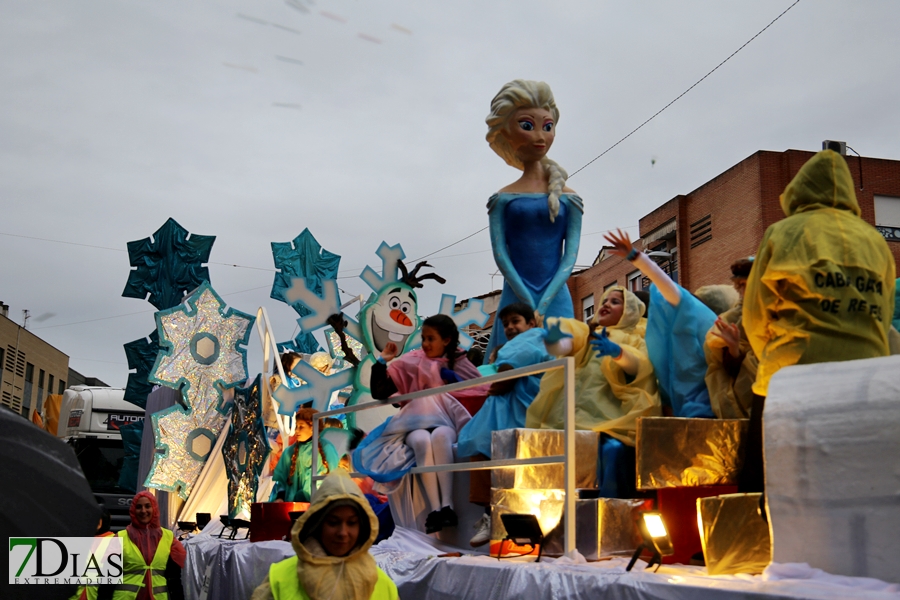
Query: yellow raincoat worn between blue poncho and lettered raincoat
[(730, 398)]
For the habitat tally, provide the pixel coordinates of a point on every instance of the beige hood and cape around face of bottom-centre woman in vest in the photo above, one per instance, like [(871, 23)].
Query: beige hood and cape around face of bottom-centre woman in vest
[(352, 576)]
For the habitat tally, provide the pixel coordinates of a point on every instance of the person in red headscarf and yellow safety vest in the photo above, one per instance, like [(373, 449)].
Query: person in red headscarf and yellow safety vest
[(152, 558)]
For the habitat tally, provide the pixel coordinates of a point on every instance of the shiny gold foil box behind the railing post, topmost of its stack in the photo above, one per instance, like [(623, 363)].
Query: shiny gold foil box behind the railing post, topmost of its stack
[(531, 443)]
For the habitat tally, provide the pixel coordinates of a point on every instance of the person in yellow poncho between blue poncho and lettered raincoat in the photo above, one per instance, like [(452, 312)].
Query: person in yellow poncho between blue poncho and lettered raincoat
[(731, 364)]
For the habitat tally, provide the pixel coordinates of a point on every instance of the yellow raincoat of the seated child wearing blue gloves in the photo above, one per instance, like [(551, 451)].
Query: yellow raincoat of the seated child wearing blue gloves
[(604, 400)]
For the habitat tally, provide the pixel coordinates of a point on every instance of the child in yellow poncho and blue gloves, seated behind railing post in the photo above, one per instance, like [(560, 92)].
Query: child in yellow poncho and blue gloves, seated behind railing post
[(611, 390)]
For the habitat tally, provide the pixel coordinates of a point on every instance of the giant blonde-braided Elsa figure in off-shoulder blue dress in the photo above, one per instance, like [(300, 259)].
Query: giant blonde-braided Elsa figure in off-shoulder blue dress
[(536, 220)]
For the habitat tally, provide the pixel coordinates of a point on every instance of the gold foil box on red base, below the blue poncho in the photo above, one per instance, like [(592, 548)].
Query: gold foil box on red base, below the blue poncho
[(679, 452)]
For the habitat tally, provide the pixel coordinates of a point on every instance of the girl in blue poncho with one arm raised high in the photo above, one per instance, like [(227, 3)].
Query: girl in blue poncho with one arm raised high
[(676, 331)]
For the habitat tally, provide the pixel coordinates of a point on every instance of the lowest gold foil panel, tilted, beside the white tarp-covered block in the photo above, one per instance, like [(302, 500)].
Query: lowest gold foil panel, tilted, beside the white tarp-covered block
[(735, 537)]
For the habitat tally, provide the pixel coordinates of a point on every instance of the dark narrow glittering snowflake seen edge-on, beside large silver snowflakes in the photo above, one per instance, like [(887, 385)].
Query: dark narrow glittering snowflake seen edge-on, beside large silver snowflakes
[(245, 449)]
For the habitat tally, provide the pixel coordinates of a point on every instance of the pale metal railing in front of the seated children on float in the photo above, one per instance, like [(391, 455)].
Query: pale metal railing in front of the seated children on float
[(567, 458)]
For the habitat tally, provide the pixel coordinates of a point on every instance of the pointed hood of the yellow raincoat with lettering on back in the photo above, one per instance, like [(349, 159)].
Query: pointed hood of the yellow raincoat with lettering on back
[(823, 182)]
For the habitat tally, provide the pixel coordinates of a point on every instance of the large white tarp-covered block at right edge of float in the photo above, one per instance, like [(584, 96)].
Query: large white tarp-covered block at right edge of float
[(832, 444)]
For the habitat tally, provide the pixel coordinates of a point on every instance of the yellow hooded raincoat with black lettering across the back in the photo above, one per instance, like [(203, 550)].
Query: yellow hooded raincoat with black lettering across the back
[(821, 288)]
